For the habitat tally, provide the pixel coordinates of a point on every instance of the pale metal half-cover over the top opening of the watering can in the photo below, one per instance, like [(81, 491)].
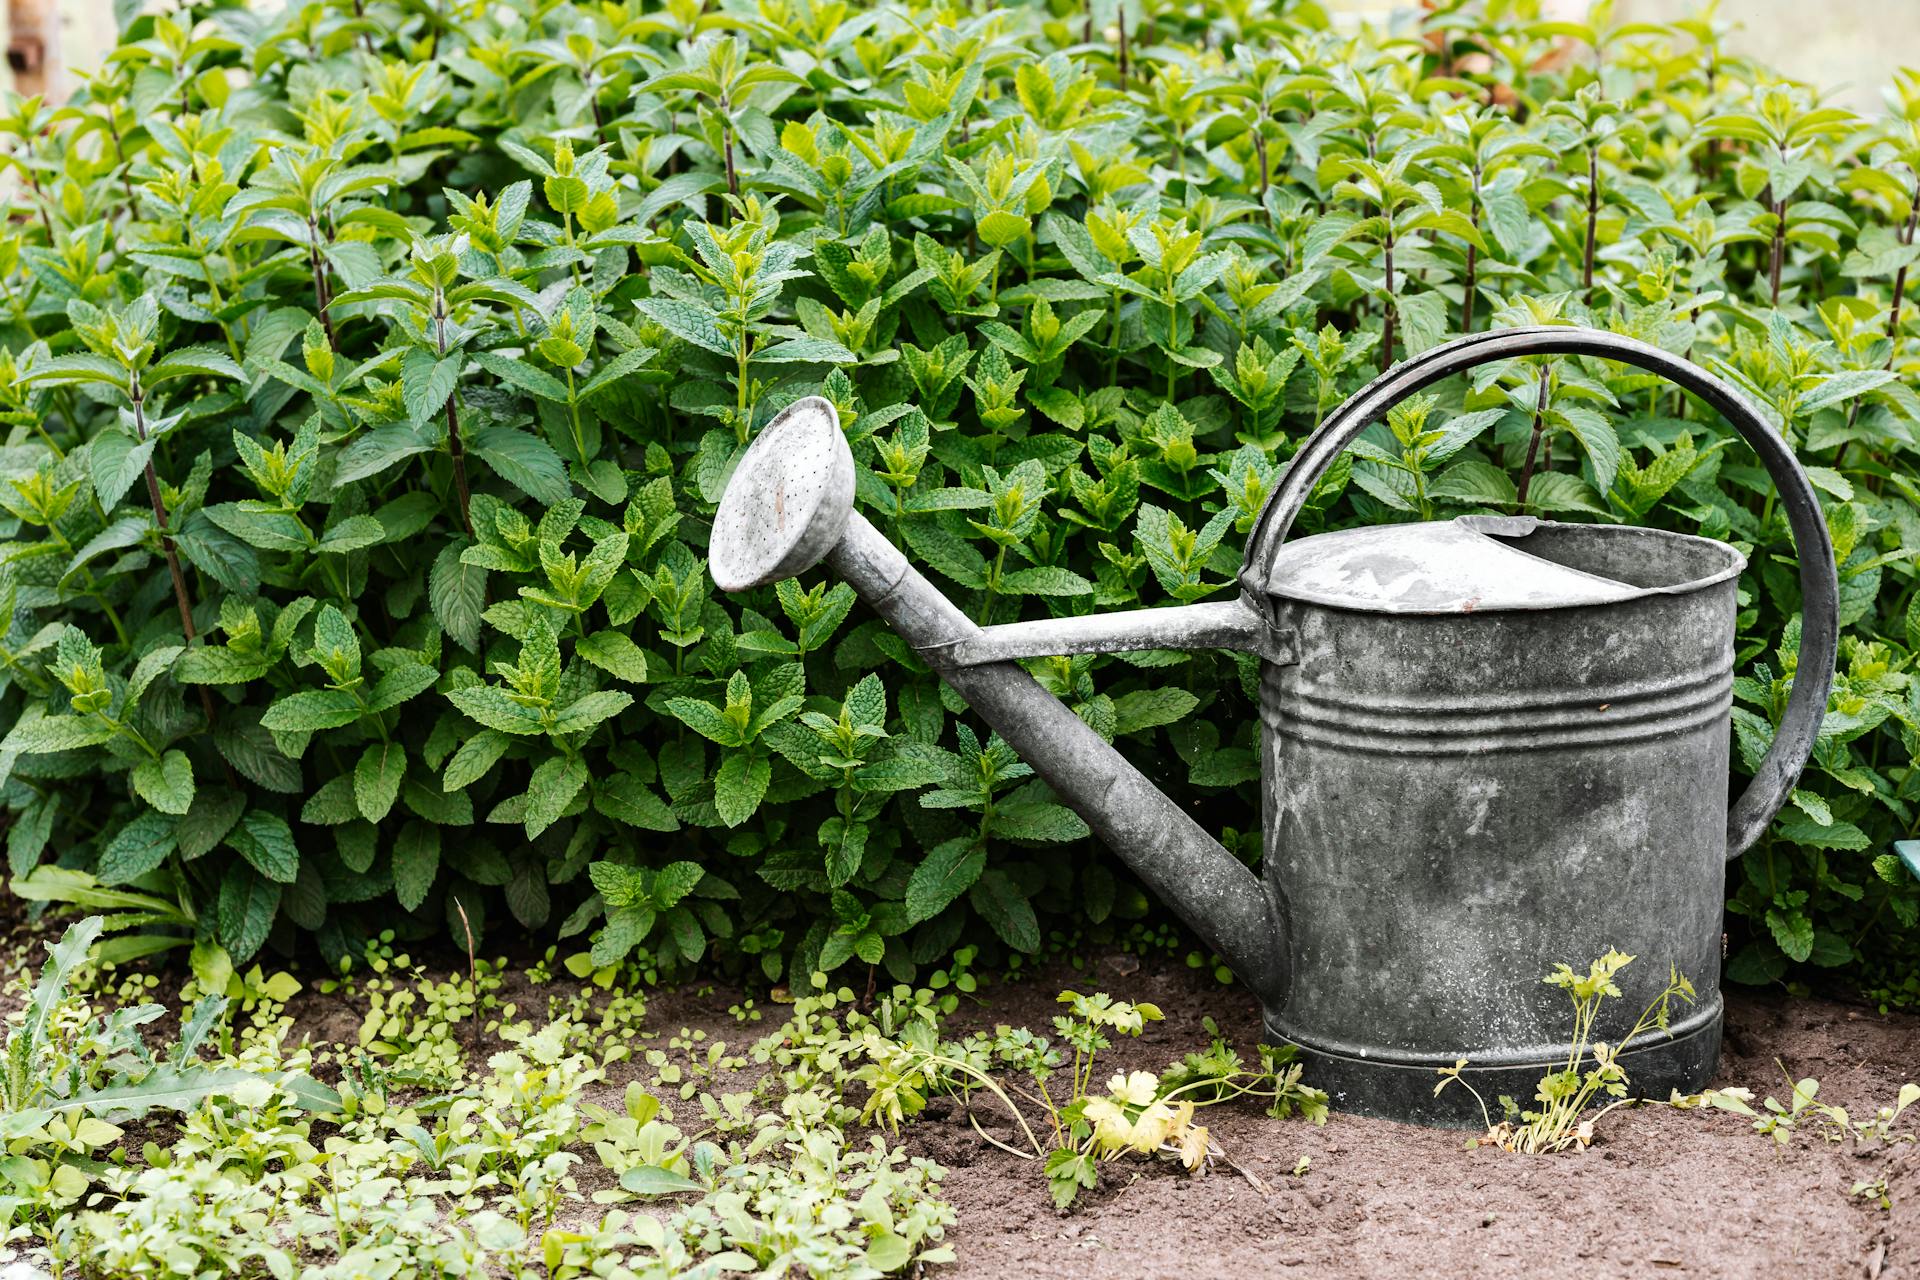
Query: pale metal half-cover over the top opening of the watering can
[(1443, 567)]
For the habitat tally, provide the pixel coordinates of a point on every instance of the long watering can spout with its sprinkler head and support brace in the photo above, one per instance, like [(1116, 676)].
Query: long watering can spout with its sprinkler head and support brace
[(790, 508)]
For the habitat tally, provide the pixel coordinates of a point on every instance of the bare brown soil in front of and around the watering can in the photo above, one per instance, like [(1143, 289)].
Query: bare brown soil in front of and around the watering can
[(1662, 1193)]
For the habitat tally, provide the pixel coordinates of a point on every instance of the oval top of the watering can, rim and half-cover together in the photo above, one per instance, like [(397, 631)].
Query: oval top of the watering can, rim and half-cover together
[(1516, 579)]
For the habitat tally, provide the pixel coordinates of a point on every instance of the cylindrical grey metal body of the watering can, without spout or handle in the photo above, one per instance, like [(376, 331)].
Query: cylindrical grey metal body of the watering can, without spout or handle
[(1500, 744)]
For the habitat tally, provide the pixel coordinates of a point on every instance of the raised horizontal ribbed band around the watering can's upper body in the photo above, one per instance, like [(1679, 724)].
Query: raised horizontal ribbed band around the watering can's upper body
[(1464, 726)]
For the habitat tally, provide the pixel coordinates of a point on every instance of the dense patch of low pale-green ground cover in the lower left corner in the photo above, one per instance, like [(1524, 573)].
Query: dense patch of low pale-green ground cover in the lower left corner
[(433, 1164)]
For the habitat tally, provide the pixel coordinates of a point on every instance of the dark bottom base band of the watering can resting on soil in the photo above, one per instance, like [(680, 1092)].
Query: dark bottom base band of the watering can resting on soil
[(1404, 1091)]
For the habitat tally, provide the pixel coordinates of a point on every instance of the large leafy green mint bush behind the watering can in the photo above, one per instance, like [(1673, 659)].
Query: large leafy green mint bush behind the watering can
[(373, 369)]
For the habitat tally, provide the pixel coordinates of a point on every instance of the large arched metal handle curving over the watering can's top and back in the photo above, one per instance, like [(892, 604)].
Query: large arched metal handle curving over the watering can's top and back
[(1794, 742)]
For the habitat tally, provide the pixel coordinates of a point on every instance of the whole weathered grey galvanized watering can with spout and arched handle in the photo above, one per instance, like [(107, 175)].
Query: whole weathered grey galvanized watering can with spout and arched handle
[(1491, 744)]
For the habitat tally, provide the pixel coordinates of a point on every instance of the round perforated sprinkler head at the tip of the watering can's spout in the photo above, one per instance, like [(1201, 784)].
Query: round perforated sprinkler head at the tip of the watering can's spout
[(788, 500)]
